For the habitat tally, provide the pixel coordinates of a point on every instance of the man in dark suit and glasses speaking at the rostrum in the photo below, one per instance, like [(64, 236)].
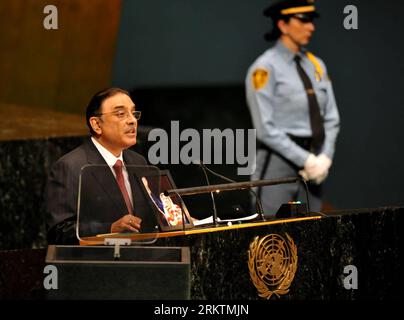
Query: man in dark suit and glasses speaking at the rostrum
[(110, 196)]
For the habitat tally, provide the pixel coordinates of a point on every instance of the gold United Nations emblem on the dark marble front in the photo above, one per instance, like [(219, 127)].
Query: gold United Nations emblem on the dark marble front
[(272, 262)]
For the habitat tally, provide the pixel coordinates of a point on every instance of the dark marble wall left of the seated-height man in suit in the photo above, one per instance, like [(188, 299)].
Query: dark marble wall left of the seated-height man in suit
[(24, 165)]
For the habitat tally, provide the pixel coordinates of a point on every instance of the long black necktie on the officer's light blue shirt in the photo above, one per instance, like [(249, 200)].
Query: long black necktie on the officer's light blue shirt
[(316, 120)]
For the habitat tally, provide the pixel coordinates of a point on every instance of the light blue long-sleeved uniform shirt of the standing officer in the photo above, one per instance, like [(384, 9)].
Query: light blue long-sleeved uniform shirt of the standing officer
[(280, 107)]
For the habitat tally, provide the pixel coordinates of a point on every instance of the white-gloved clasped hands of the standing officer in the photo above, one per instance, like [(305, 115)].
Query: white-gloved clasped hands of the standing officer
[(316, 168)]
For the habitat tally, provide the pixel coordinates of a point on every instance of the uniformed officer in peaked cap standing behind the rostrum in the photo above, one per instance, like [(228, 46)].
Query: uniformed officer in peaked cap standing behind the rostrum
[(293, 108)]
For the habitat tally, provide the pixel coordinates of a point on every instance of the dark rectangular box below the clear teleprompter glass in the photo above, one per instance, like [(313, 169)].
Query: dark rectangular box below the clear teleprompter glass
[(143, 273)]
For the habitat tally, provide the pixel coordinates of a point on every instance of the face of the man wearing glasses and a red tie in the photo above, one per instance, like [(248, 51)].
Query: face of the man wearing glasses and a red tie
[(117, 125)]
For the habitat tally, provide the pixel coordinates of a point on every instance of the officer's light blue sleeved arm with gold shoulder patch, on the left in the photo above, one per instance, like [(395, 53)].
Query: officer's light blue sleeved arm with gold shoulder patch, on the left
[(260, 87)]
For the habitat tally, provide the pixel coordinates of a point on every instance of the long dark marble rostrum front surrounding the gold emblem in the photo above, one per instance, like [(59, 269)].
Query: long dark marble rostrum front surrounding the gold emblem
[(369, 239)]
